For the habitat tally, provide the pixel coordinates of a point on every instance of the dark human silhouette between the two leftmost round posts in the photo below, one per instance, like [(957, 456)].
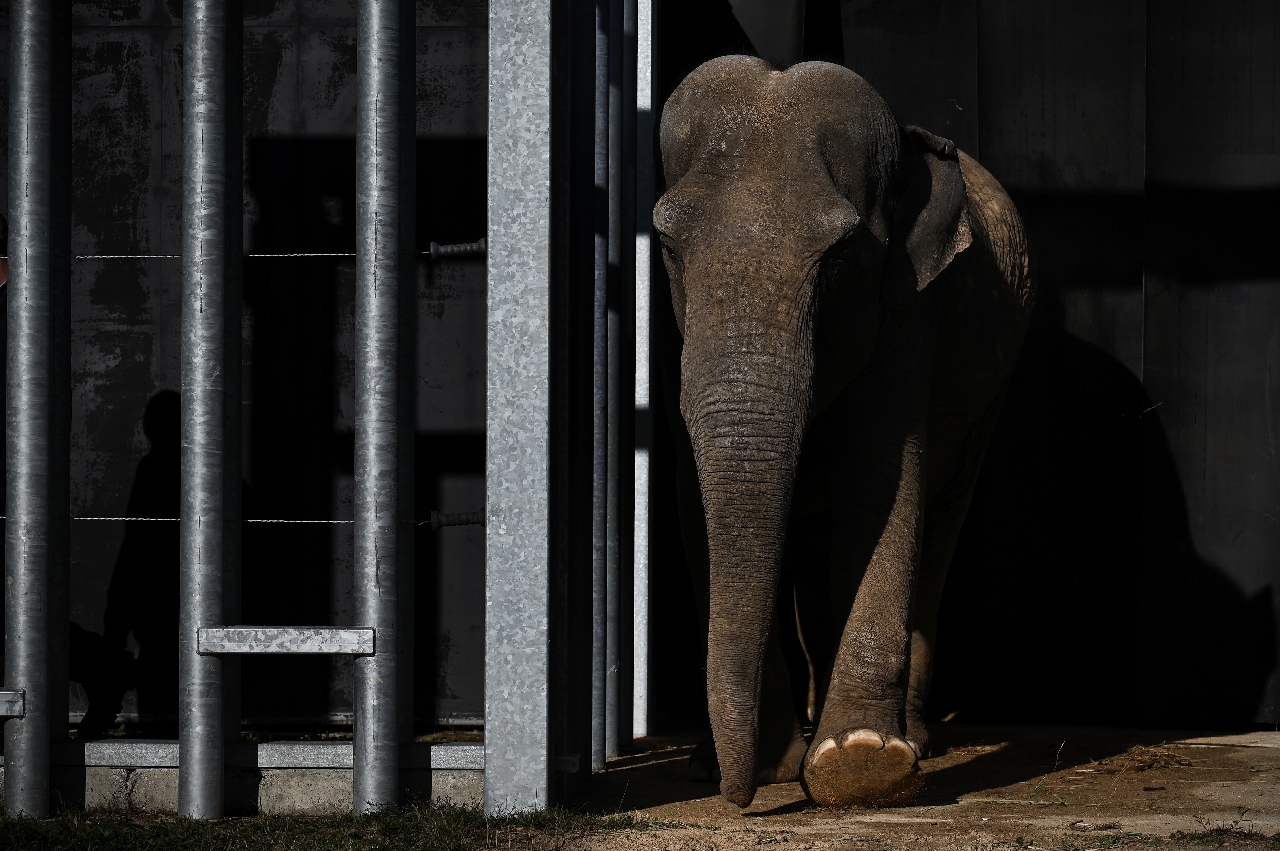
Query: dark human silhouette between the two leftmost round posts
[(143, 598)]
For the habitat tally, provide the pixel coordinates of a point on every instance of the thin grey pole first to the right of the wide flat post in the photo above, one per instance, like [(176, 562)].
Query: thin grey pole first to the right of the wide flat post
[(601, 392)]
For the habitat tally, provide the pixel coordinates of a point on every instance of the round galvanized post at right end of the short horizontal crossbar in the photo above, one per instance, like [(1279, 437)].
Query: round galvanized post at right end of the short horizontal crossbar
[(382, 505)]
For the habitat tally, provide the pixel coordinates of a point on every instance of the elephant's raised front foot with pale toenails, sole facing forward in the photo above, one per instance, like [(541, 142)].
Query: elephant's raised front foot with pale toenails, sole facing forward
[(862, 768)]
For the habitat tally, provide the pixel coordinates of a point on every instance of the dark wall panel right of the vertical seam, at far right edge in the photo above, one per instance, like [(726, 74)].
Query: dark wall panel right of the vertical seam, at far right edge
[(1212, 356)]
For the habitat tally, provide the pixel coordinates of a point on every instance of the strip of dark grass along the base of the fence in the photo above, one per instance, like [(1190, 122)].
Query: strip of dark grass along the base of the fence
[(445, 829)]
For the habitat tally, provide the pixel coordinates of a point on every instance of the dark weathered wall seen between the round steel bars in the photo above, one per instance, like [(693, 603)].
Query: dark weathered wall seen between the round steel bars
[(300, 109)]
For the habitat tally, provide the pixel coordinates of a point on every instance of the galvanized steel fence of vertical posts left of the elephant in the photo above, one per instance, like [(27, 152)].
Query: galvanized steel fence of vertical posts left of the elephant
[(531, 573)]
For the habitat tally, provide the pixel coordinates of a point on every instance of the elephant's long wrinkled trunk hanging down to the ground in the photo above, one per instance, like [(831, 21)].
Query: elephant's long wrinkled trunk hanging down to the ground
[(747, 413)]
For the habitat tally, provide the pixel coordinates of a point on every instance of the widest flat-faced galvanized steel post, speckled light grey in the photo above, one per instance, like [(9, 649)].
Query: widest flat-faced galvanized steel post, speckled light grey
[(518, 475)]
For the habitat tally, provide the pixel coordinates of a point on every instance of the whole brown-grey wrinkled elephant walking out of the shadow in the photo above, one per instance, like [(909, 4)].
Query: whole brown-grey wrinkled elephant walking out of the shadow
[(852, 298)]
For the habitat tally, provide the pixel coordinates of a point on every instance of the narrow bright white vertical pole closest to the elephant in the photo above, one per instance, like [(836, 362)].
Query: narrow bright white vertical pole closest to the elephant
[(646, 187)]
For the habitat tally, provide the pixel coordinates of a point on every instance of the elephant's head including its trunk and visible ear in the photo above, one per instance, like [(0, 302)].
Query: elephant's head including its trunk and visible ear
[(798, 217)]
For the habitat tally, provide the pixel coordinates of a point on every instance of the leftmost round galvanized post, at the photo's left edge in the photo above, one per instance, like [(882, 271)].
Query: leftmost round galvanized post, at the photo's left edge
[(36, 409)]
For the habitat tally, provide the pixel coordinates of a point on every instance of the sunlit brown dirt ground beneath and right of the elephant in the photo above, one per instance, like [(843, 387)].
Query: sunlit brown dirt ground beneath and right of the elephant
[(990, 788)]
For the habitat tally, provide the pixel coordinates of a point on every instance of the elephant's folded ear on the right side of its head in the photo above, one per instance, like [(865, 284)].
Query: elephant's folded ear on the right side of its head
[(931, 213)]
